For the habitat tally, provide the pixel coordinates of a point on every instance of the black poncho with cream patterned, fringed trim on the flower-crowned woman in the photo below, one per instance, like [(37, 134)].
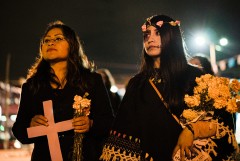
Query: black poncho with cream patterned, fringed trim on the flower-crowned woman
[(143, 115)]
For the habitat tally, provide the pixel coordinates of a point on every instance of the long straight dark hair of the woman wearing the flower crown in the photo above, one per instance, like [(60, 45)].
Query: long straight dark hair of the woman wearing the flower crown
[(173, 62)]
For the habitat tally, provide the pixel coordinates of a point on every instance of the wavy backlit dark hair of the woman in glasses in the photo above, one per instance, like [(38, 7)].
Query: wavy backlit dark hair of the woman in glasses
[(40, 74)]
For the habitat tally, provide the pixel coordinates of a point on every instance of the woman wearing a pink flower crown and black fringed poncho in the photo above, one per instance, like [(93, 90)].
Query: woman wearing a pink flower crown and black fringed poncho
[(148, 125)]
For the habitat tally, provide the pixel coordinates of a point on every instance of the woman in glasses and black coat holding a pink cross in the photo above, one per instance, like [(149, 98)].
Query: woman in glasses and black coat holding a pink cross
[(63, 75)]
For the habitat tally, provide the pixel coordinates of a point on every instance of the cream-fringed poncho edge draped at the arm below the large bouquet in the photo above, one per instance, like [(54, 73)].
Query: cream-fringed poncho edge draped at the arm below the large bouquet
[(222, 146)]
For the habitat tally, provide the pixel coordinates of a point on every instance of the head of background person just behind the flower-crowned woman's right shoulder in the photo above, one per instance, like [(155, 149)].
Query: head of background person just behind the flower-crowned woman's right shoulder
[(203, 63)]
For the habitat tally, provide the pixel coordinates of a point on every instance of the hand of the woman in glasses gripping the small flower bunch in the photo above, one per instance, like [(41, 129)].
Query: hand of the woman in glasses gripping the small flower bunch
[(82, 124)]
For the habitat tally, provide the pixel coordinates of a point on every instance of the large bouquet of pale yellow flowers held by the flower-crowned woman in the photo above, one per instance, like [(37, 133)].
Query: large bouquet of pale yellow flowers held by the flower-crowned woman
[(210, 94)]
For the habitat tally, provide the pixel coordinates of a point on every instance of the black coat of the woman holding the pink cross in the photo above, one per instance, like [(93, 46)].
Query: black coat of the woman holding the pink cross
[(100, 113)]
